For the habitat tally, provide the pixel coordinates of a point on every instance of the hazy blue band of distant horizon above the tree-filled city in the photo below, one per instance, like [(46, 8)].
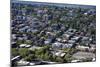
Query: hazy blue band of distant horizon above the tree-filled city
[(55, 4)]
